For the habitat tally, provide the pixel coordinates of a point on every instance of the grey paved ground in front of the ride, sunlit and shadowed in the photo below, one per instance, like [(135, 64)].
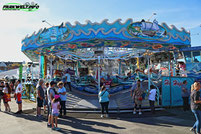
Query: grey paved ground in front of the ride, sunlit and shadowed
[(170, 121)]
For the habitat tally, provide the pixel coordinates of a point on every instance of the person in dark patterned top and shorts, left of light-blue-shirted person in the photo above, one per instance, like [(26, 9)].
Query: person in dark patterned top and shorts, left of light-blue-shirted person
[(137, 97)]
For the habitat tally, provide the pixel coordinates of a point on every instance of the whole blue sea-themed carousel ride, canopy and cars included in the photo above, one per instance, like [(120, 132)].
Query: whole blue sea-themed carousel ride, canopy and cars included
[(114, 54)]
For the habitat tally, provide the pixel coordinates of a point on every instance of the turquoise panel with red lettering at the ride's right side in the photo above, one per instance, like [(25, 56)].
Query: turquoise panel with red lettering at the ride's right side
[(171, 90)]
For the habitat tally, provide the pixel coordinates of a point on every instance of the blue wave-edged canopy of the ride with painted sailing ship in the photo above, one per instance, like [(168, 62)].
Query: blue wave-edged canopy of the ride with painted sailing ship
[(142, 35)]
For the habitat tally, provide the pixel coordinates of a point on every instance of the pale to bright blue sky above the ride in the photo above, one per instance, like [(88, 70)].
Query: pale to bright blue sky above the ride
[(15, 25)]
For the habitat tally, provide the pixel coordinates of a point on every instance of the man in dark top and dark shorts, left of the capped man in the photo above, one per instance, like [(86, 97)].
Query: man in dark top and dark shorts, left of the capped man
[(40, 97)]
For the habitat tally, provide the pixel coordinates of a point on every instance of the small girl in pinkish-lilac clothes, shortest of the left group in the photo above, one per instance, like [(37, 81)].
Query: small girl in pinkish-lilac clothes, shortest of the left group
[(55, 111)]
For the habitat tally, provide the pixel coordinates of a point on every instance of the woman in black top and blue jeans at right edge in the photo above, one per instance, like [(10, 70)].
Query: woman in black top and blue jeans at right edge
[(196, 107)]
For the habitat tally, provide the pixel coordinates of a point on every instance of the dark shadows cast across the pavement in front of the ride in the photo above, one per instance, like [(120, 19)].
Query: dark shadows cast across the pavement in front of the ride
[(166, 118)]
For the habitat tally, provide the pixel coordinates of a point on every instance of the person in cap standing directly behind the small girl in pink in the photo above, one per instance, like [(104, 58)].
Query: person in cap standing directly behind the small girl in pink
[(50, 95)]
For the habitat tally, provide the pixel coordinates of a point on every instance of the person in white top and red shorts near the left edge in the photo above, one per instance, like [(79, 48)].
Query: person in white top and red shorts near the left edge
[(18, 96)]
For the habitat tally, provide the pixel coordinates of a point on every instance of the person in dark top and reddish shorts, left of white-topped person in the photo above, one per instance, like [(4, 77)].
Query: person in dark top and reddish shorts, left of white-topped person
[(6, 90)]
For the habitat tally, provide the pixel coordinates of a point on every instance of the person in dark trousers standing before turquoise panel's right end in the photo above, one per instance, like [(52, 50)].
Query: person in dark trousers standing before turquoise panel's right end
[(185, 95)]
